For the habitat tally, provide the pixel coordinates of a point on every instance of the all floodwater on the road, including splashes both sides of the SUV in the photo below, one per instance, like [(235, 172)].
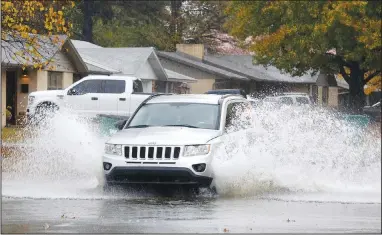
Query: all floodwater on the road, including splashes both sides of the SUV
[(329, 173)]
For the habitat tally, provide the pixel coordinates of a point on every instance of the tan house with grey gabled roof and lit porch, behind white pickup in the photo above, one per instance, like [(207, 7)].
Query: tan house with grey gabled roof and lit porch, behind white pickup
[(72, 60)]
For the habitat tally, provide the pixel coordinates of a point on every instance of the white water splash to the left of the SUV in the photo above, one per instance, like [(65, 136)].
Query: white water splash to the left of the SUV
[(64, 160)]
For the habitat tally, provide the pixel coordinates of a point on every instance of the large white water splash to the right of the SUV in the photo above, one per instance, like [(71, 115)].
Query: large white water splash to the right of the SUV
[(295, 149)]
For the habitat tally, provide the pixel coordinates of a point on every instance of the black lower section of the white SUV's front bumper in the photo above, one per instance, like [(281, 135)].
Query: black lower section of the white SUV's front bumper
[(156, 175)]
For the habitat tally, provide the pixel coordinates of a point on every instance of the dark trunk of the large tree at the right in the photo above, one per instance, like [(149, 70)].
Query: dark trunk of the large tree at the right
[(357, 95)]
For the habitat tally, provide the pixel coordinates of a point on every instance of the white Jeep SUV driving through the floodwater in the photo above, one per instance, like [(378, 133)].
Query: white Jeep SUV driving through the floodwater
[(172, 139)]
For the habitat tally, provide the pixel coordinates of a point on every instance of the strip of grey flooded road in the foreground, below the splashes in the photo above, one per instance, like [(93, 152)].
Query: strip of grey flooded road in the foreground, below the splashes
[(185, 215)]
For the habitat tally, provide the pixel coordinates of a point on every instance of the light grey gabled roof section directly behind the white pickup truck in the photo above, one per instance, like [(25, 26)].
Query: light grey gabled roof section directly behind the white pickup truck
[(140, 62)]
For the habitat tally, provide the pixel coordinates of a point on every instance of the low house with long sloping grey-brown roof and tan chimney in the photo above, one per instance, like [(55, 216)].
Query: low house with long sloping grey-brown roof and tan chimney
[(238, 71)]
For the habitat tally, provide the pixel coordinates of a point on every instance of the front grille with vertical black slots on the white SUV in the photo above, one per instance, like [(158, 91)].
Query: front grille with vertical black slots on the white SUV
[(152, 152)]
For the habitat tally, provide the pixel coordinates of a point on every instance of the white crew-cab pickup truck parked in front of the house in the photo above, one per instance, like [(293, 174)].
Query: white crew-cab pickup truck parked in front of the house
[(91, 96)]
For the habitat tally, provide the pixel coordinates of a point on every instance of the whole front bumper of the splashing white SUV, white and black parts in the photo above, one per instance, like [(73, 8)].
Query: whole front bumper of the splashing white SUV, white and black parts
[(139, 171)]
